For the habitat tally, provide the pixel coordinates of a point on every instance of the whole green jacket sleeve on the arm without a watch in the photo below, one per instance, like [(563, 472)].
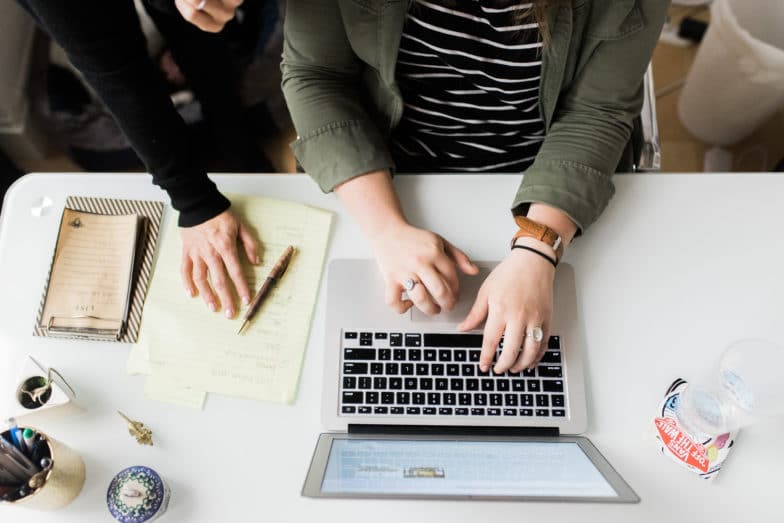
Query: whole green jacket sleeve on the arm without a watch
[(336, 137)]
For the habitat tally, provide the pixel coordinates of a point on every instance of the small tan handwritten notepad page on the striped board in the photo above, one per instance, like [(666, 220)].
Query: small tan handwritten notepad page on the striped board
[(92, 272)]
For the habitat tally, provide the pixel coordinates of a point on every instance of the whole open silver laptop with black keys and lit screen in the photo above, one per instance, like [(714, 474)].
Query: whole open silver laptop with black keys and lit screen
[(409, 414)]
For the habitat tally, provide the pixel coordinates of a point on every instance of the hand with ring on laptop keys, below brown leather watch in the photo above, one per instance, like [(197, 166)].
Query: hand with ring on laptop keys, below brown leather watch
[(515, 298)]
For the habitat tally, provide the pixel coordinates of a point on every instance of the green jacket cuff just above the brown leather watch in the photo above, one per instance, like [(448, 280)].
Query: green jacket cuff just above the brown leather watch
[(576, 189)]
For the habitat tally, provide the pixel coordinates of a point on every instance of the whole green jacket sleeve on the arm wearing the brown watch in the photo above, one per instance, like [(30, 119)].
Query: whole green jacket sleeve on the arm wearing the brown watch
[(593, 119)]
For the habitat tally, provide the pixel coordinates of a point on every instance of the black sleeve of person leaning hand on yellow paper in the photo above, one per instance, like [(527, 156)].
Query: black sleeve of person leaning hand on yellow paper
[(104, 40)]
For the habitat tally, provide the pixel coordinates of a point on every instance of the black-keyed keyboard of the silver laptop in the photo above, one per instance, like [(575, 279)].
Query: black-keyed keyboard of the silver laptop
[(437, 374)]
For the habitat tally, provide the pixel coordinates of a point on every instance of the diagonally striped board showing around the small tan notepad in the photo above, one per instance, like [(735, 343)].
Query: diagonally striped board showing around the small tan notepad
[(153, 211)]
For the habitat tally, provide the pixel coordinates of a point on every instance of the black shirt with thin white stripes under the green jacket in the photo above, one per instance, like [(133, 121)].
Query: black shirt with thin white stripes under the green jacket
[(469, 75)]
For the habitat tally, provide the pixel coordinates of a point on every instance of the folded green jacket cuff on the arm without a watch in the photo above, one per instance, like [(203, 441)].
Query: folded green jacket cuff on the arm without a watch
[(342, 150)]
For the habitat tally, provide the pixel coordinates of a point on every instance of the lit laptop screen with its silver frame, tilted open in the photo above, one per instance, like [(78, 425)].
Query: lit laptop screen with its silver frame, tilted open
[(560, 468)]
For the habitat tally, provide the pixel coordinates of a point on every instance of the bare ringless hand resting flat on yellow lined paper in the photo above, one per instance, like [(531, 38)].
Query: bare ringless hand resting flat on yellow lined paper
[(209, 255)]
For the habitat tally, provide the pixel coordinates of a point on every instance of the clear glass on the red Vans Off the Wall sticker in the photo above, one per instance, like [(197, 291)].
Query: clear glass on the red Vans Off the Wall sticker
[(743, 387)]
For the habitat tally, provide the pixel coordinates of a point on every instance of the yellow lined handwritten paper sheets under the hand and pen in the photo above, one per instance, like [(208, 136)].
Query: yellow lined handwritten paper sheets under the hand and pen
[(189, 347)]
